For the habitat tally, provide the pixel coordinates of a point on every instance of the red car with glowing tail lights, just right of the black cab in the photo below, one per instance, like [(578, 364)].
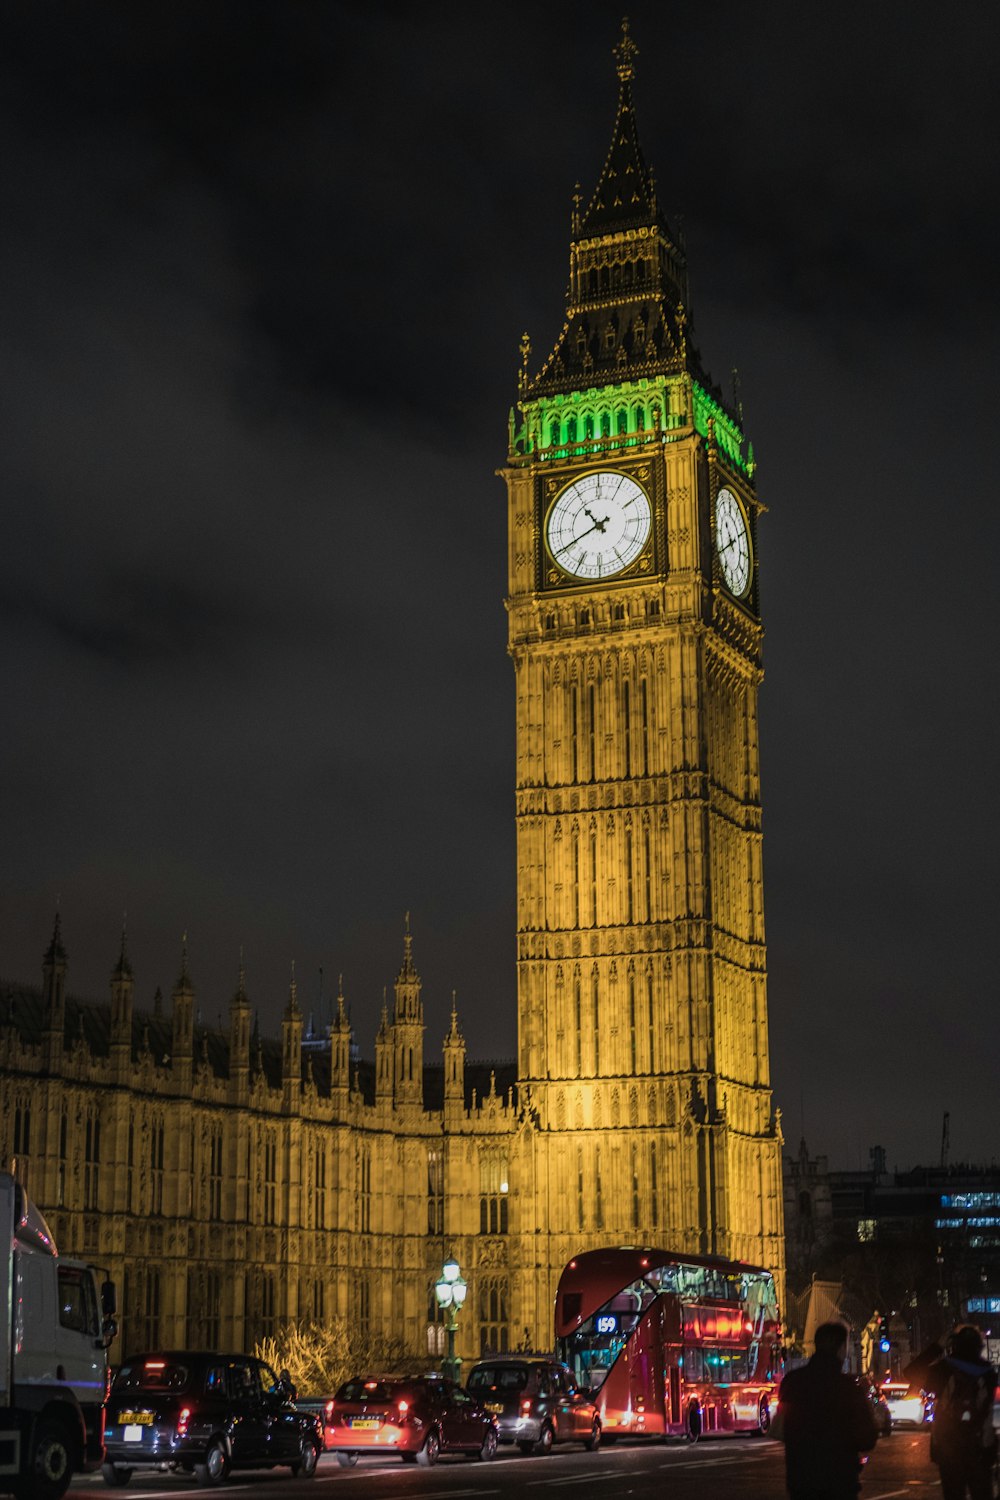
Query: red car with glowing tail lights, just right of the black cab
[(418, 1418)]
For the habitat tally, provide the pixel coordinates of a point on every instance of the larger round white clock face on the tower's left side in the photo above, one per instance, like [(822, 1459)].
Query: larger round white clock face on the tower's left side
[(599, 526)]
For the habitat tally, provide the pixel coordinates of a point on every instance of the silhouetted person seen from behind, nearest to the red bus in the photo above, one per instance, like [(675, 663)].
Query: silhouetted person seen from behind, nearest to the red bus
[(825, 1423)]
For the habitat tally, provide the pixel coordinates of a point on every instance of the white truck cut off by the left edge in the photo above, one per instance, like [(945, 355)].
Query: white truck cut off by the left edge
[(56, 1325)]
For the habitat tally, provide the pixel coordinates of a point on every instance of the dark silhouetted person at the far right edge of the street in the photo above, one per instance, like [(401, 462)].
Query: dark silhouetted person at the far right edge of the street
[(963, 1436)]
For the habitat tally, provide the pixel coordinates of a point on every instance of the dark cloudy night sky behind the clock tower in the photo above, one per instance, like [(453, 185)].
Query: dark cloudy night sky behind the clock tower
[(263, 277)]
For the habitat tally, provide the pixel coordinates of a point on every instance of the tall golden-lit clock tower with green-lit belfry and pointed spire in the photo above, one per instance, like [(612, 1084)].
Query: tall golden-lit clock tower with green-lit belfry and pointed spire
[(635, 631)]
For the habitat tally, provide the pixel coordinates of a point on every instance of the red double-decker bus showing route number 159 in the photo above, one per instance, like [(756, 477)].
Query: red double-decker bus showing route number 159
[(671, 1345)]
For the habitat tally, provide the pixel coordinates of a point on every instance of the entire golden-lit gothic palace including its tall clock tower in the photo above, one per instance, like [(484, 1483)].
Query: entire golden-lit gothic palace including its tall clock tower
[(232, 1183)]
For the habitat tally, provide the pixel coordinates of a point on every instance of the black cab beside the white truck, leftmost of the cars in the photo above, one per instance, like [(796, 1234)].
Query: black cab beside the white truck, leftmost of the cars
[(205, 1415)]
